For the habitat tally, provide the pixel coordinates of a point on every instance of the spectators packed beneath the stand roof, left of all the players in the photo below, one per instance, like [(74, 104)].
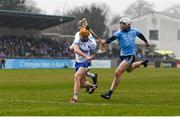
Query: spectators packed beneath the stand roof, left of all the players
[(30, 47)]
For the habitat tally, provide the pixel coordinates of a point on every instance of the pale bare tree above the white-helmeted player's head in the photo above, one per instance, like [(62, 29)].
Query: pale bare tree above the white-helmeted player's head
[(139, 8)]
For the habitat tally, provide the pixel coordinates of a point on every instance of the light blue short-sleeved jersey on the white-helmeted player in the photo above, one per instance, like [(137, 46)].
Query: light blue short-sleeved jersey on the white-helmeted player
[(126, 41)]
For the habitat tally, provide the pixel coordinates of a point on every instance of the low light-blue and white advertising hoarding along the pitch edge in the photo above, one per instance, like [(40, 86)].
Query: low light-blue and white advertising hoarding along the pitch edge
[(50, 63)]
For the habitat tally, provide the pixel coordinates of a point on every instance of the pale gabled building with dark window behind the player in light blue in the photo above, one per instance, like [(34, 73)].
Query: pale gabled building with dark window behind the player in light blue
[(161, 30)]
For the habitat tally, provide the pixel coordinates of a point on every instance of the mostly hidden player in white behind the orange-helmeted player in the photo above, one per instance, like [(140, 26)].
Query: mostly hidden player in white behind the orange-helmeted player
[(89, 74)]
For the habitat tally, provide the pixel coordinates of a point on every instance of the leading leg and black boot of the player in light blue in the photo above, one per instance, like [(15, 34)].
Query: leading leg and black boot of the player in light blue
[(124, 65)]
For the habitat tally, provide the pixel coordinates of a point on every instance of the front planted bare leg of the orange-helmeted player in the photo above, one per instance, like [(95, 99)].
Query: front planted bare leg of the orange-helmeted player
[(77, 83)]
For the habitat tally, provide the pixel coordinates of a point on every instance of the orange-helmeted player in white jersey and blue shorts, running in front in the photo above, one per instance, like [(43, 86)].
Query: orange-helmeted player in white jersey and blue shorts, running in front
[(82, 49)]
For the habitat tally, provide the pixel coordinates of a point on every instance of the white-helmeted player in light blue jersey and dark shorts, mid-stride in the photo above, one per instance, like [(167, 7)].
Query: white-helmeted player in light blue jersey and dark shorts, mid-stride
[(126, 36)]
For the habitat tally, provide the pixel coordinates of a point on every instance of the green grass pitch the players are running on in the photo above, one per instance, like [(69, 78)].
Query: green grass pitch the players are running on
[(146, 91)]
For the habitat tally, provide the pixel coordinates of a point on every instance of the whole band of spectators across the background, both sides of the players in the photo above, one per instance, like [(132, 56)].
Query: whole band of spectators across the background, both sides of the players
[(29, 47)]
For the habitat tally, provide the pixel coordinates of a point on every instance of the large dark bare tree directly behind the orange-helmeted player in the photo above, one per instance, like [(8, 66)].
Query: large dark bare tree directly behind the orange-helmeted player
[(95, 14)]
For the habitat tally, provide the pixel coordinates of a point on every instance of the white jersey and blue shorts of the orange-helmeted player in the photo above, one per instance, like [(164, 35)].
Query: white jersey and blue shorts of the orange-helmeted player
[(86, 48)]
